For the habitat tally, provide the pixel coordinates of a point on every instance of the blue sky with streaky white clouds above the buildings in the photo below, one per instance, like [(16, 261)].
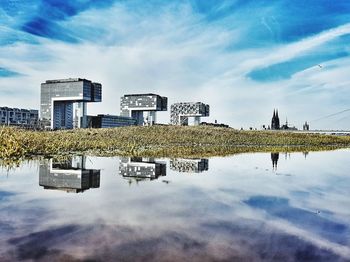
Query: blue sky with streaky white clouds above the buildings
[(242, 57)]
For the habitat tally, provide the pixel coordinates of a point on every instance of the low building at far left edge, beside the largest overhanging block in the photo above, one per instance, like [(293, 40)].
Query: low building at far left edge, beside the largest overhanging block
[(19, 117)]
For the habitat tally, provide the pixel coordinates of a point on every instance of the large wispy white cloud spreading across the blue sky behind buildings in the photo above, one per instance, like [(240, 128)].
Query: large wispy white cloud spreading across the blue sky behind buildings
[(177, 54)]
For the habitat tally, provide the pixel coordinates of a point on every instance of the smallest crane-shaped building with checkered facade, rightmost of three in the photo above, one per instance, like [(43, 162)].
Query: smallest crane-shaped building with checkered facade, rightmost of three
[(180, 112)]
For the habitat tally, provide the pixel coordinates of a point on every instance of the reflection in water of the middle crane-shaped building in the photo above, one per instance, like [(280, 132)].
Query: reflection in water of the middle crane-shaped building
[(141, 168)]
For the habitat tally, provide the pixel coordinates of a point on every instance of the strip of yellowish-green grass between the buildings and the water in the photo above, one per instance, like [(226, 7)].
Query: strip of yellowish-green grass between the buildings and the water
[(159, 141)]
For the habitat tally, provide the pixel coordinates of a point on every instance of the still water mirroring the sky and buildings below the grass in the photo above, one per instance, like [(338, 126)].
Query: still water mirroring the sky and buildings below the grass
[(250, 207)]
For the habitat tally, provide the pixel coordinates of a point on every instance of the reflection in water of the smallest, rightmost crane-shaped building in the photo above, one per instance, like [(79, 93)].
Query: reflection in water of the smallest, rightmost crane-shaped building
[(189, 165)]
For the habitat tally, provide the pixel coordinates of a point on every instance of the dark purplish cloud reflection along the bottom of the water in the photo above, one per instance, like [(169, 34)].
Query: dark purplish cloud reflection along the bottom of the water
[(222, 240)]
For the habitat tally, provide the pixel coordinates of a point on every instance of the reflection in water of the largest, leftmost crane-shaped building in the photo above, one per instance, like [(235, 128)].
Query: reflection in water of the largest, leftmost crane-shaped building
[(69, 176)]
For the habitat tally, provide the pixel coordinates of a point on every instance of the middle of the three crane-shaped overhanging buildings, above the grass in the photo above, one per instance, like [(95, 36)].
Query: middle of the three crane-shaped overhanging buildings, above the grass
[(143, 107)]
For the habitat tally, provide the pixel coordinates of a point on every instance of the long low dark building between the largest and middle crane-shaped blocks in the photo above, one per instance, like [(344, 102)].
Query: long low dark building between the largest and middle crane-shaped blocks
[(107, 121)]
